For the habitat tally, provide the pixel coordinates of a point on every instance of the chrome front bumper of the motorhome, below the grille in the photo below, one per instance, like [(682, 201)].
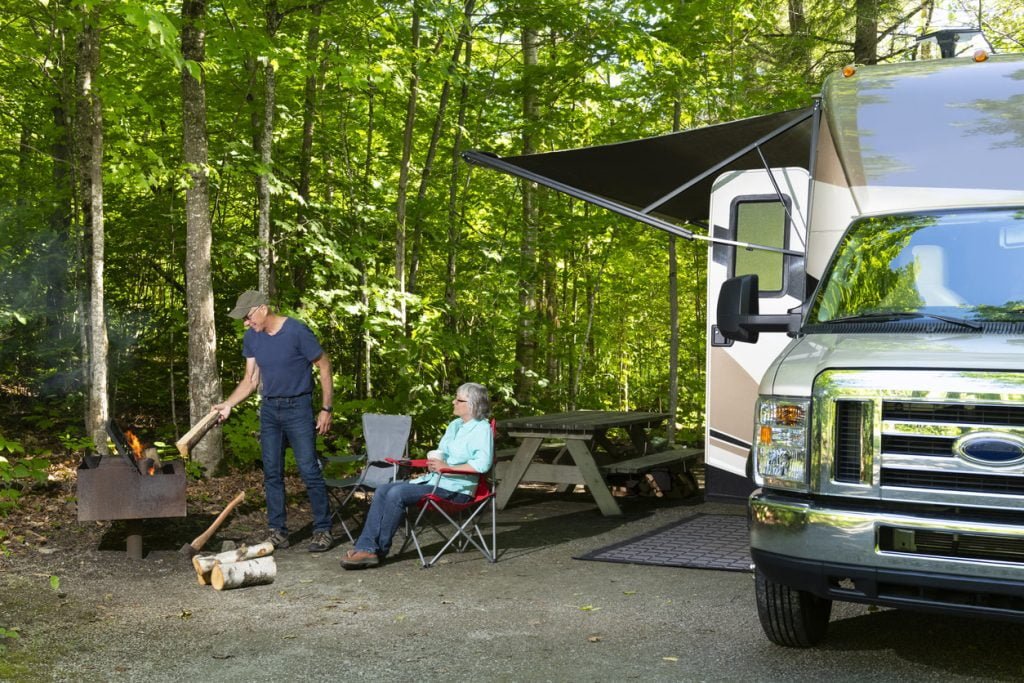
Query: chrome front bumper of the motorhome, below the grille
[(888, 560)]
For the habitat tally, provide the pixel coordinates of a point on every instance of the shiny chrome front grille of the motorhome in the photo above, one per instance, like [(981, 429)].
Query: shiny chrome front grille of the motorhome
[(895, 433)]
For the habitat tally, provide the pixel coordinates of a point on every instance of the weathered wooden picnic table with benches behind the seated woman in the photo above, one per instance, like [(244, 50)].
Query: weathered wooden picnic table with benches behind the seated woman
[(586, 438)]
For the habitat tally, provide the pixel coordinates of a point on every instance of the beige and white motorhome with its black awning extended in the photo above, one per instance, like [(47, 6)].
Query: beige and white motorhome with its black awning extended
[(866, 353)]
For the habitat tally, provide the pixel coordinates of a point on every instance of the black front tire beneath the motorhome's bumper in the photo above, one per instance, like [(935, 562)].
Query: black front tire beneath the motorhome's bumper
[(791, 618)]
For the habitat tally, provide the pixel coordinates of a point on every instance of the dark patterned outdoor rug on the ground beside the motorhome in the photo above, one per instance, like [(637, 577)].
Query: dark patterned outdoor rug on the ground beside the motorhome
[(703, 542)]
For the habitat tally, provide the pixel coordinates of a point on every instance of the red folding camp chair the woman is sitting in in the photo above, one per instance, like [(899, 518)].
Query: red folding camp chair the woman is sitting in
[(463, 519)]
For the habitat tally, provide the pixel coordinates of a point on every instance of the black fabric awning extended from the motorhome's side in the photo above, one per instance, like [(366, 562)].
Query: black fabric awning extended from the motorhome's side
[(668, 177)]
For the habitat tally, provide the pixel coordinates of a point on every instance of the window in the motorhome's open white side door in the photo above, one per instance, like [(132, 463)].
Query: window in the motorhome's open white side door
[(761, 223)]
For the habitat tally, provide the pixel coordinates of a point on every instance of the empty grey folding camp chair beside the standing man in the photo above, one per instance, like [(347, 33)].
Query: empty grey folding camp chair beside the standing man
[(387, 438)]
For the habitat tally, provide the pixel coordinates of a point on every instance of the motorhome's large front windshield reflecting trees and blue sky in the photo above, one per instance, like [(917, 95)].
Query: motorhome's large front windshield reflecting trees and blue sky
[(965, 266)]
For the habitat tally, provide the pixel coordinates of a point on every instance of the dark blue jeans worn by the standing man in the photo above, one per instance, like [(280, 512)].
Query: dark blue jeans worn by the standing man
[(289, 422)]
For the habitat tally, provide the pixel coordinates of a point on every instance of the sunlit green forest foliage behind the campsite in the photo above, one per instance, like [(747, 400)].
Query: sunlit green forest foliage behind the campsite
[(606, 73)]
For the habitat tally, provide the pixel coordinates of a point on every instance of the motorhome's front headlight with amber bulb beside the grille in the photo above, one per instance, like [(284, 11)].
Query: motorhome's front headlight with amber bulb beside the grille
[(781, 442)]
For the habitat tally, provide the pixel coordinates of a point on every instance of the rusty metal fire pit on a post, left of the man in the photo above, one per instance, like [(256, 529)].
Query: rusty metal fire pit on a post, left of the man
[(113, 489)]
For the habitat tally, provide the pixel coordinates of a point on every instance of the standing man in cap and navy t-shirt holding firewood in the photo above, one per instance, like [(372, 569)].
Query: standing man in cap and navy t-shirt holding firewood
[(280, 353)]
